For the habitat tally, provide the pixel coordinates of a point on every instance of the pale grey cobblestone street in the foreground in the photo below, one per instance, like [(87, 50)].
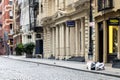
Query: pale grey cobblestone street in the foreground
[(18, 70)]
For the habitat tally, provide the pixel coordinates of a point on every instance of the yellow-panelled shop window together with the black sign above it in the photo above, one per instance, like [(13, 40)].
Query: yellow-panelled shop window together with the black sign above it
[(113, 39)]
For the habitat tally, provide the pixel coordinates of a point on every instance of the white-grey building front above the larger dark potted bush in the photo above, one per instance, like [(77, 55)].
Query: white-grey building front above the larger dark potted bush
[(27, 34)]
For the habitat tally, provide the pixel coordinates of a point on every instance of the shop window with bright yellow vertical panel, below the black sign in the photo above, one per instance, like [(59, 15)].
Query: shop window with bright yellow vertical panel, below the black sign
[(113, 43)]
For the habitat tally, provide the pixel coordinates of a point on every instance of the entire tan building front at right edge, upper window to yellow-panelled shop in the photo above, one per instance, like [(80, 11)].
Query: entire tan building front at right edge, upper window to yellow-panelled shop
[(107, 40)]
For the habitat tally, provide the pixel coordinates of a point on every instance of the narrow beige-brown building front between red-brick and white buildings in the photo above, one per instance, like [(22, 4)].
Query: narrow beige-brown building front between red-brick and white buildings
[(17, 37)]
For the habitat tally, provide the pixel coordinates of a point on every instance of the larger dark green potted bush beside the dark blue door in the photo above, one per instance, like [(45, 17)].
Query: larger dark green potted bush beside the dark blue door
[(28, 49)]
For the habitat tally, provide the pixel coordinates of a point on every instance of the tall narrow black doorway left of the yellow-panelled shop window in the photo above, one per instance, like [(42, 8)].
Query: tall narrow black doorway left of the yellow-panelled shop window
[(100, 41)]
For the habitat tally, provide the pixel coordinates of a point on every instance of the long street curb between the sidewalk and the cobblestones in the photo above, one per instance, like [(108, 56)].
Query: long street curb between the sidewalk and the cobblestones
[(96, 72)]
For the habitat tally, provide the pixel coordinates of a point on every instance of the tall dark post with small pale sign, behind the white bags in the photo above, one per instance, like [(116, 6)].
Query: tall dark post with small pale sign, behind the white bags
[(90, 53)]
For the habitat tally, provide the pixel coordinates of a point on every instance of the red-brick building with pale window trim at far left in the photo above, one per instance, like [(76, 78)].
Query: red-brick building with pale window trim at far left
[(7, 27)]
